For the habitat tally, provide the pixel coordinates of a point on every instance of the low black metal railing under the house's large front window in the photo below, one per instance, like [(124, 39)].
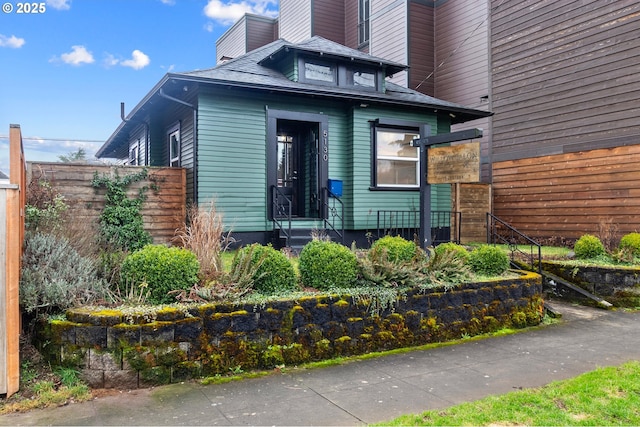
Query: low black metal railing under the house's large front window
[(445, 225)]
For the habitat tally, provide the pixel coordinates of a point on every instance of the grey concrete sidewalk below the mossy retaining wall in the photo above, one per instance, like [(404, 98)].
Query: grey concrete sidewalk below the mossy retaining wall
[(375, 390)]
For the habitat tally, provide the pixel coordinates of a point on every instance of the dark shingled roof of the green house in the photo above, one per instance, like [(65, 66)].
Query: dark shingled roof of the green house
[(251, 71)]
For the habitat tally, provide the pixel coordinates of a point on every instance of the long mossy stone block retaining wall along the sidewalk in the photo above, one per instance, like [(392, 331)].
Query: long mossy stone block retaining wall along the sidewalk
[(114, 349)]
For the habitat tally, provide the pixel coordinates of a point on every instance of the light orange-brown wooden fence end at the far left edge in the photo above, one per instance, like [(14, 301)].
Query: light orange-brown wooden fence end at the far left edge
[(12, 203)]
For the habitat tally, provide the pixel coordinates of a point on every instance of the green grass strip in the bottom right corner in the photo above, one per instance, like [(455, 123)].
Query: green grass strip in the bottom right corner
[(606, 396)]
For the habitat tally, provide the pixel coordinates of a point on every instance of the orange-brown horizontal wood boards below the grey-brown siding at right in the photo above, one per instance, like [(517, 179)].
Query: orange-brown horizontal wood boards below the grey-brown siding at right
[(568, 195)]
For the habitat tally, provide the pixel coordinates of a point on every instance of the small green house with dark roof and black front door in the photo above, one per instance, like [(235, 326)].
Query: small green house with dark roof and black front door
[(291, 138)]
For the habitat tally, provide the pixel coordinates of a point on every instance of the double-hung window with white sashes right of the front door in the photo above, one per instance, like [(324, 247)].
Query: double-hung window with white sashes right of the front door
[(397, 163)]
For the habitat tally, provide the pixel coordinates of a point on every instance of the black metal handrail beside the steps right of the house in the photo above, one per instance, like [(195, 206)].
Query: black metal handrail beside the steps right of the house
[(522, 247)]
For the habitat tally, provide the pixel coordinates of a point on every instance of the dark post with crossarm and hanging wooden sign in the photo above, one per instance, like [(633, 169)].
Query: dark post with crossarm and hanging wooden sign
[(447, 159)]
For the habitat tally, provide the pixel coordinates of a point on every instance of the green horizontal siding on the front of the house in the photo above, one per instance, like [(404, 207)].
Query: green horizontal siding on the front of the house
[(238, 182)]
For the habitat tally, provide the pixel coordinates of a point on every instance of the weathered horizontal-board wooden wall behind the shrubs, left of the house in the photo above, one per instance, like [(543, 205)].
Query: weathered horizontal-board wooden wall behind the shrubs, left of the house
[(163, 212)]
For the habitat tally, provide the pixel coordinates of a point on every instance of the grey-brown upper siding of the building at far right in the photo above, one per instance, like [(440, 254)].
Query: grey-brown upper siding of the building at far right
[(565, 75)]
